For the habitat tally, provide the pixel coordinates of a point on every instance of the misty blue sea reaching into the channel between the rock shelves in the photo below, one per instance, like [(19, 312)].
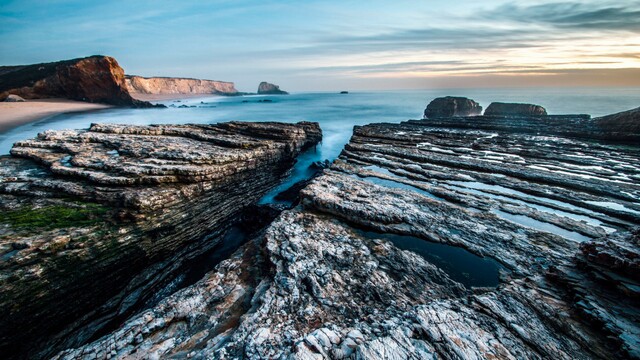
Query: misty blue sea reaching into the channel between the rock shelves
[(336, 113)]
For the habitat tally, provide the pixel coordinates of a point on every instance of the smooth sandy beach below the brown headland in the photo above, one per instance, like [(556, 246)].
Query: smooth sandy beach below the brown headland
[(13, 114)]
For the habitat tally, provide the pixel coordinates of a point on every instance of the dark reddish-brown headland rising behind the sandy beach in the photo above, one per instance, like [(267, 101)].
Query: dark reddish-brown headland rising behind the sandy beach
[(94, 79)]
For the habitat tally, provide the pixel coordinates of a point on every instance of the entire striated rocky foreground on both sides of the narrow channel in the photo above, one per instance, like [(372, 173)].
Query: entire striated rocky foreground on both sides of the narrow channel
[(509, 236)]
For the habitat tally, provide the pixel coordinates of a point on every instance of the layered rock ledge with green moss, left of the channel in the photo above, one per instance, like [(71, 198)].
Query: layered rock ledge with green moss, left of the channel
[(93, 222)]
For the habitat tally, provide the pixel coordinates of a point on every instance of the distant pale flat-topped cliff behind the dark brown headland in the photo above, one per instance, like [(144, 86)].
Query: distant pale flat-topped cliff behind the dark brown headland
[(170, 85)]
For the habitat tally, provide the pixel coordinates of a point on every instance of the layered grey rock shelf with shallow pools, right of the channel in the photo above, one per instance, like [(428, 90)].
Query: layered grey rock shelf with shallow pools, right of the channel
[(556, 211)]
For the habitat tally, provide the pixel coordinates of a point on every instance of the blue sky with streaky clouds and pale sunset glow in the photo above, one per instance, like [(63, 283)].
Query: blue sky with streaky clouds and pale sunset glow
[(328, 45)]
